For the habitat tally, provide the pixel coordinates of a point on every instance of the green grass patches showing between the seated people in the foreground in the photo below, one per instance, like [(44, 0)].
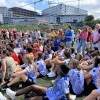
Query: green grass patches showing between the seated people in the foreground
[(42, 82)]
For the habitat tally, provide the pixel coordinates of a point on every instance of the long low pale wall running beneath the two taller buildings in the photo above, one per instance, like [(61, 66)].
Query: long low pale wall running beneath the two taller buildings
[(49, 19)]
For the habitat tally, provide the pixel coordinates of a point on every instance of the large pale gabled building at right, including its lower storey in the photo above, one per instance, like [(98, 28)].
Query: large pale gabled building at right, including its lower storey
[(64, 13)]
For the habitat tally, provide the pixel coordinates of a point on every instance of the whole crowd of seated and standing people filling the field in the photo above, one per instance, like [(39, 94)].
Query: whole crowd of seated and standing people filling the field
[(72, 58)]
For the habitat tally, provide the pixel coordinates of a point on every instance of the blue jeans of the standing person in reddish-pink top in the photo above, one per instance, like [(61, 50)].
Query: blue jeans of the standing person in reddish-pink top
[(82, 44)]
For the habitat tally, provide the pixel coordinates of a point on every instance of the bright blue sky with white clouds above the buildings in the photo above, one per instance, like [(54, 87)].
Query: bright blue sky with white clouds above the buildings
[(92, 6)]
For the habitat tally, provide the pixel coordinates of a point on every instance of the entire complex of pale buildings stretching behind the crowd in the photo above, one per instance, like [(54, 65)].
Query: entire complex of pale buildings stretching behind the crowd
[(57, 15)]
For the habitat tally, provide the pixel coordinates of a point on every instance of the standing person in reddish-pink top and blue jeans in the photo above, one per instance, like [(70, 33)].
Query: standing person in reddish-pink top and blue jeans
[(83, 41)]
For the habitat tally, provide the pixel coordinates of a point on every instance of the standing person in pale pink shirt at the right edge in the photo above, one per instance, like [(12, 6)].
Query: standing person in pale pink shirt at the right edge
[(96, 36)]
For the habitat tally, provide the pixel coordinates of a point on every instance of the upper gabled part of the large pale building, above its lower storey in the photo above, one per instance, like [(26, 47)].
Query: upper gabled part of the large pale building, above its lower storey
[(63, 9)]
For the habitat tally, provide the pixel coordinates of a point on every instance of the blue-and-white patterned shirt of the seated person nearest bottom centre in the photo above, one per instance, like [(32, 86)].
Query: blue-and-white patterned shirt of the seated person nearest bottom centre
[(60, 88)]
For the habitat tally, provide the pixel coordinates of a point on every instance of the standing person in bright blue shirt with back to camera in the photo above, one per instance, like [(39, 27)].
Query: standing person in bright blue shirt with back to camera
[(69, 36)]
